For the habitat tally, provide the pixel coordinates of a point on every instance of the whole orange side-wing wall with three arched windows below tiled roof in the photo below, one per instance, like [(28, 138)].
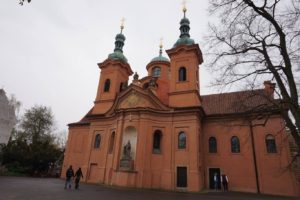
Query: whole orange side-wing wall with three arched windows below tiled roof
[(274, 177)]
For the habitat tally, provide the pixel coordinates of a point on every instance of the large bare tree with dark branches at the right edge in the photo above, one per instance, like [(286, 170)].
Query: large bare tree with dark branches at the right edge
[(257, 40)]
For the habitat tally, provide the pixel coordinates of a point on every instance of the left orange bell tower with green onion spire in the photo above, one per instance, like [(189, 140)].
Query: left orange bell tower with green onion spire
[(115, 72)]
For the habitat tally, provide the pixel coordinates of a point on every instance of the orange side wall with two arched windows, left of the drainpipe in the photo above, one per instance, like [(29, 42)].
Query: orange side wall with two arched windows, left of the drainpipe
[(238, 167)]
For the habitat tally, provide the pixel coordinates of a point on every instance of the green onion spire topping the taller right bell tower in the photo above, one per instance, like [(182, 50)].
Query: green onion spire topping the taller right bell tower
[(184, 37)]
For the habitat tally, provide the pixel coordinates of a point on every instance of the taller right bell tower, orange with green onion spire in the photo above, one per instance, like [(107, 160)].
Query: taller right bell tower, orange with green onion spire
[(185, 58)]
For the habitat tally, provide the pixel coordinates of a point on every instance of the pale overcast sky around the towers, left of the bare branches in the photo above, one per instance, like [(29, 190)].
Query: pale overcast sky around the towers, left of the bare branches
[(49, 49)]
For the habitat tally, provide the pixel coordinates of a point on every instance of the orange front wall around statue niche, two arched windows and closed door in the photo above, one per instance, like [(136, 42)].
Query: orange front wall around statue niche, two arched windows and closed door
[(157, 170)]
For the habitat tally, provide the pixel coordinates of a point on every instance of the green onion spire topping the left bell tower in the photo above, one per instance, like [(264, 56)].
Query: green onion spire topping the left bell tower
[(119, 43)]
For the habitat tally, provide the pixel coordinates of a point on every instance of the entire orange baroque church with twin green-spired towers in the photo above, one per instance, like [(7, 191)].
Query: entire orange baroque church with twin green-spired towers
[(160, 132)]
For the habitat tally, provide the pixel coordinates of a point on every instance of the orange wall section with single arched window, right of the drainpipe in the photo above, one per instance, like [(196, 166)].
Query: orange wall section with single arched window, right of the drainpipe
[(274, 174)]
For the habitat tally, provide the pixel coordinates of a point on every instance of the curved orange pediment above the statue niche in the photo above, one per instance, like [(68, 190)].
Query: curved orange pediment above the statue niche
[(137, 98)]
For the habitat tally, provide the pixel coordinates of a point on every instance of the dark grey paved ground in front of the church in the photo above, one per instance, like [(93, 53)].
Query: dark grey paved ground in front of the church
[(18, 188)]
